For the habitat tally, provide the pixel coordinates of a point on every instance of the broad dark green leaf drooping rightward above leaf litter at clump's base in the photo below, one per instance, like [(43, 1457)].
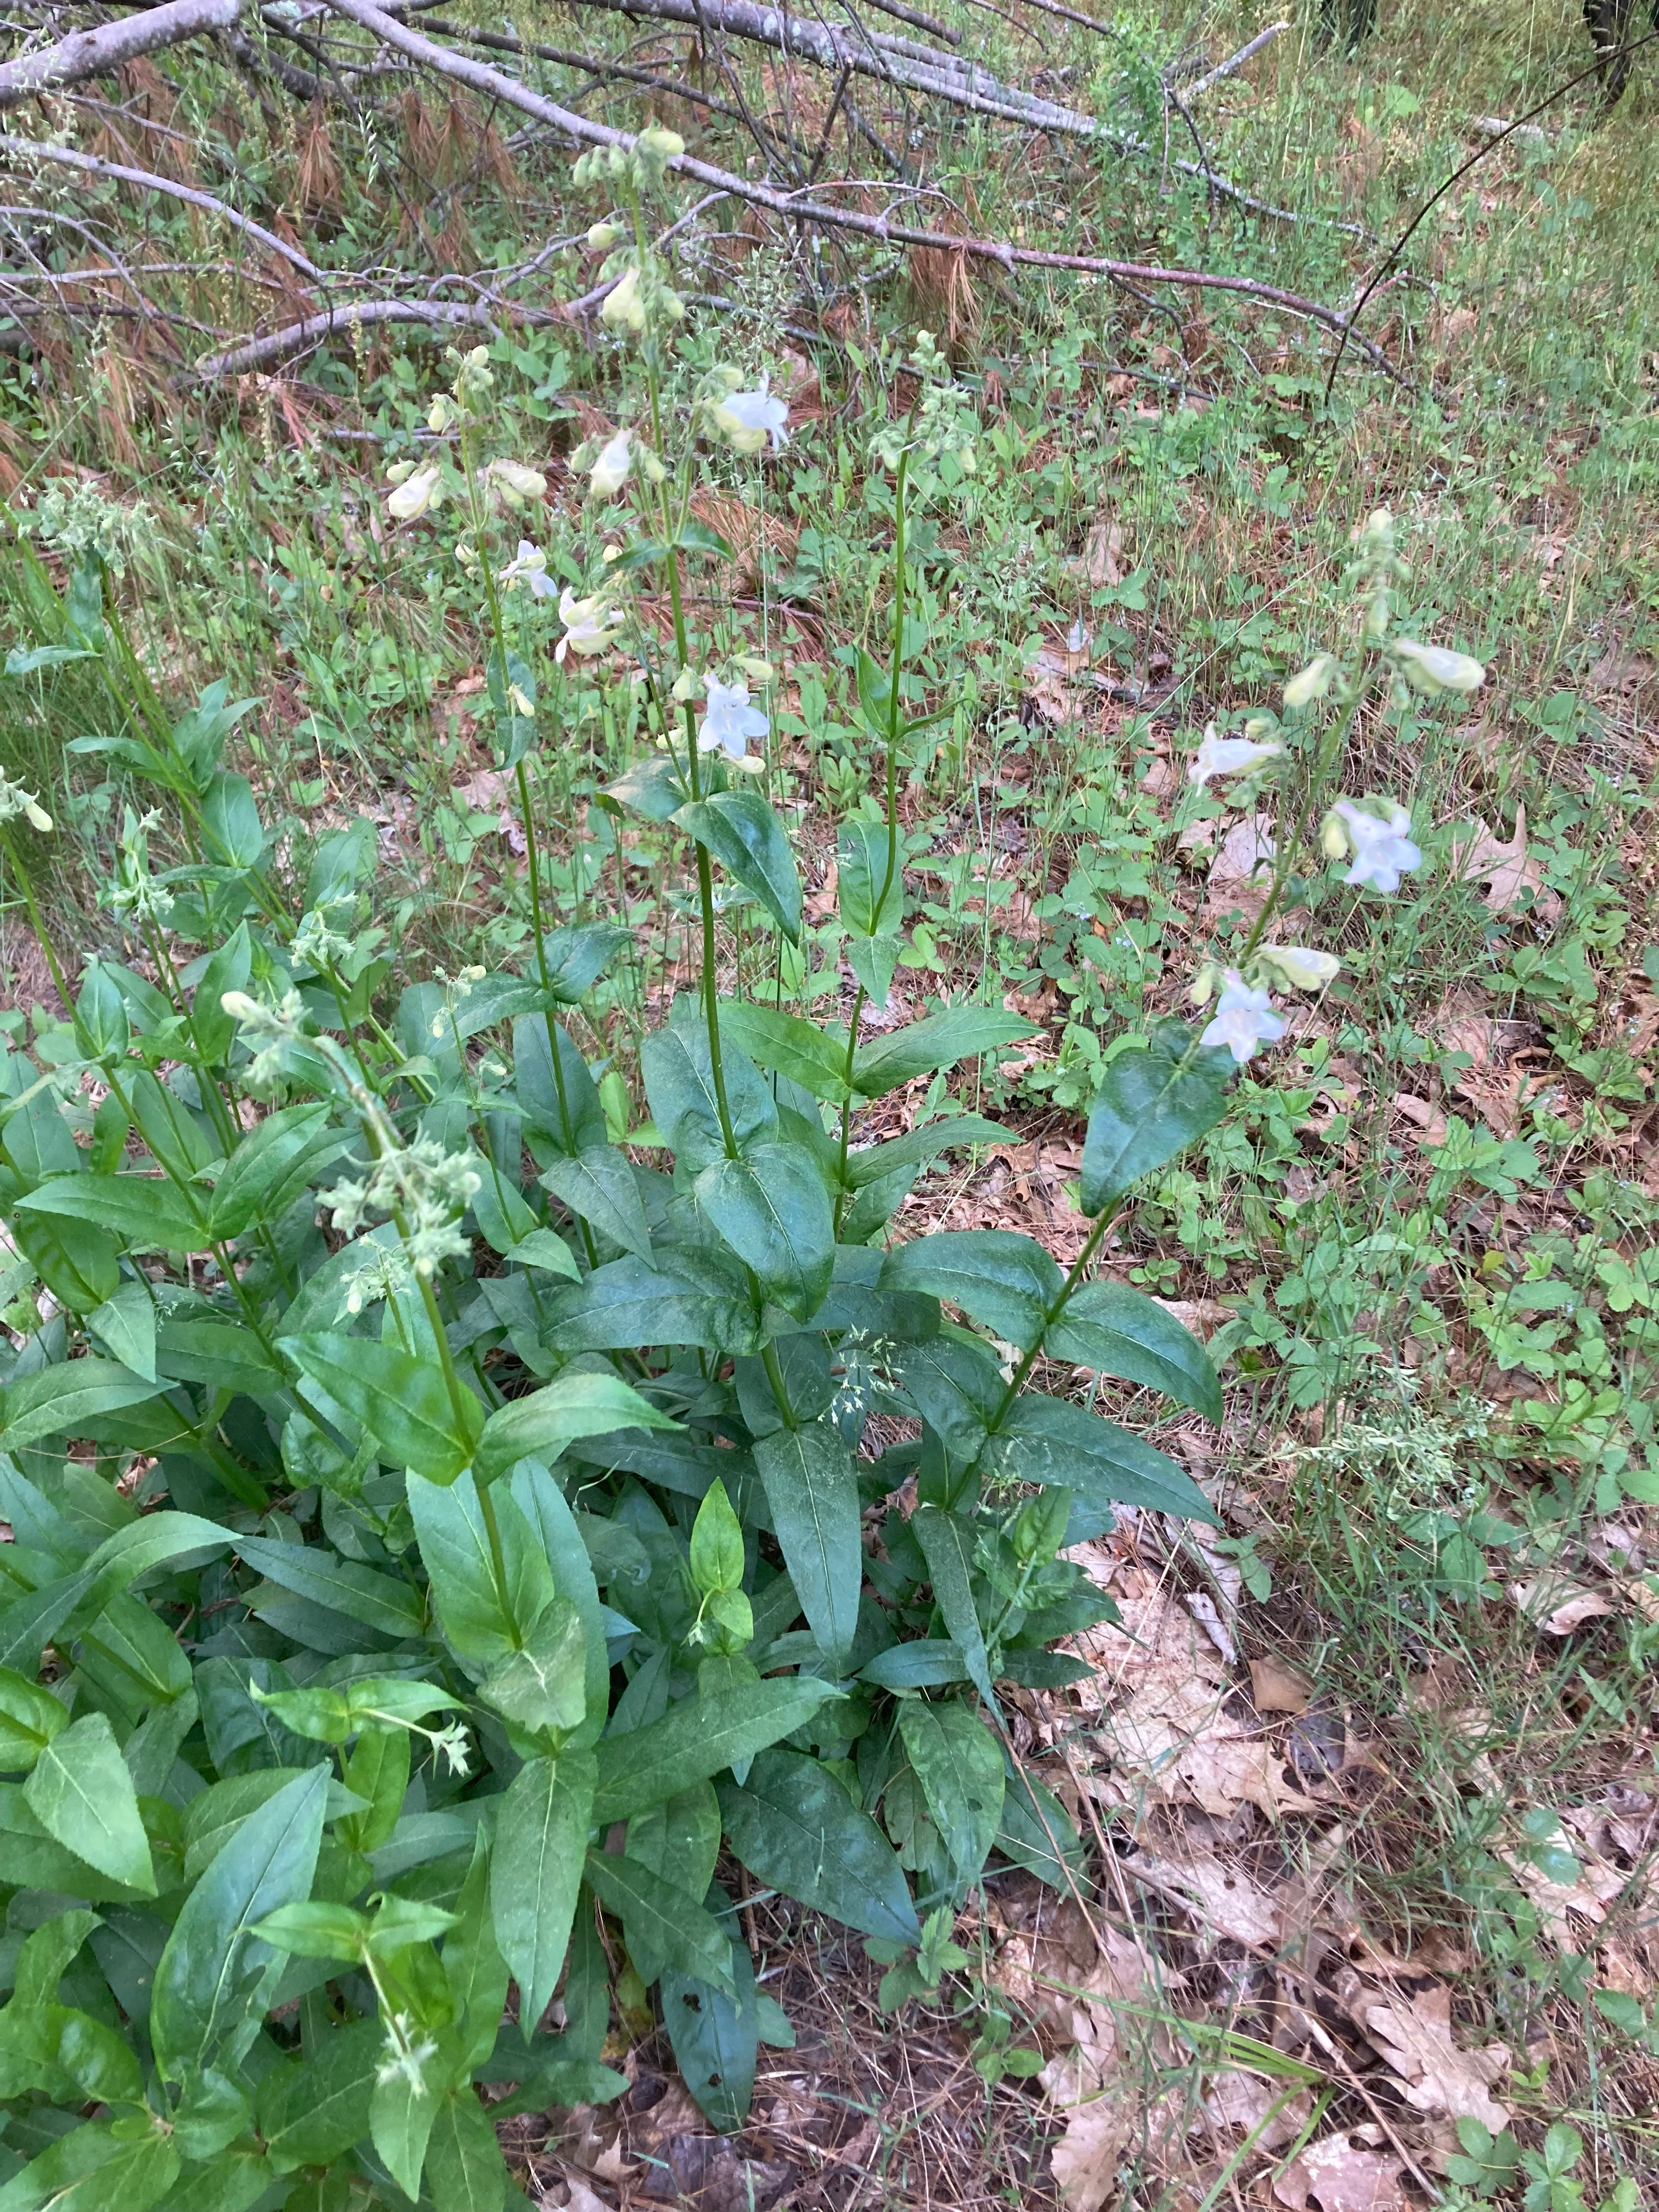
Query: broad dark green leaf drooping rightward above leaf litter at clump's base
[(795, 1828)]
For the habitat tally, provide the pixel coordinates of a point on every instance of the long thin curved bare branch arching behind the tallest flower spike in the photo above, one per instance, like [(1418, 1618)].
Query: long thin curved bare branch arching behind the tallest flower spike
[(800, 209)]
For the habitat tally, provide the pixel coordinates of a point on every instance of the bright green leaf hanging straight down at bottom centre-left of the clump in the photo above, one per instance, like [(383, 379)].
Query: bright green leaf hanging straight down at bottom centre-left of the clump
[(536, 1870)]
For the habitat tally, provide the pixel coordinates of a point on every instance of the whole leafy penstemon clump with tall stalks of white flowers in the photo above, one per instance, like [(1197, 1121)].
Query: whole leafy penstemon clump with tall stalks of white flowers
[(439, 1534)]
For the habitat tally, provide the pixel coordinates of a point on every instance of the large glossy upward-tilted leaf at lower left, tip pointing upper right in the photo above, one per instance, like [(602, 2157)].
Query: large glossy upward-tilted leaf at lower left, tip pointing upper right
[(216, 1979)]
